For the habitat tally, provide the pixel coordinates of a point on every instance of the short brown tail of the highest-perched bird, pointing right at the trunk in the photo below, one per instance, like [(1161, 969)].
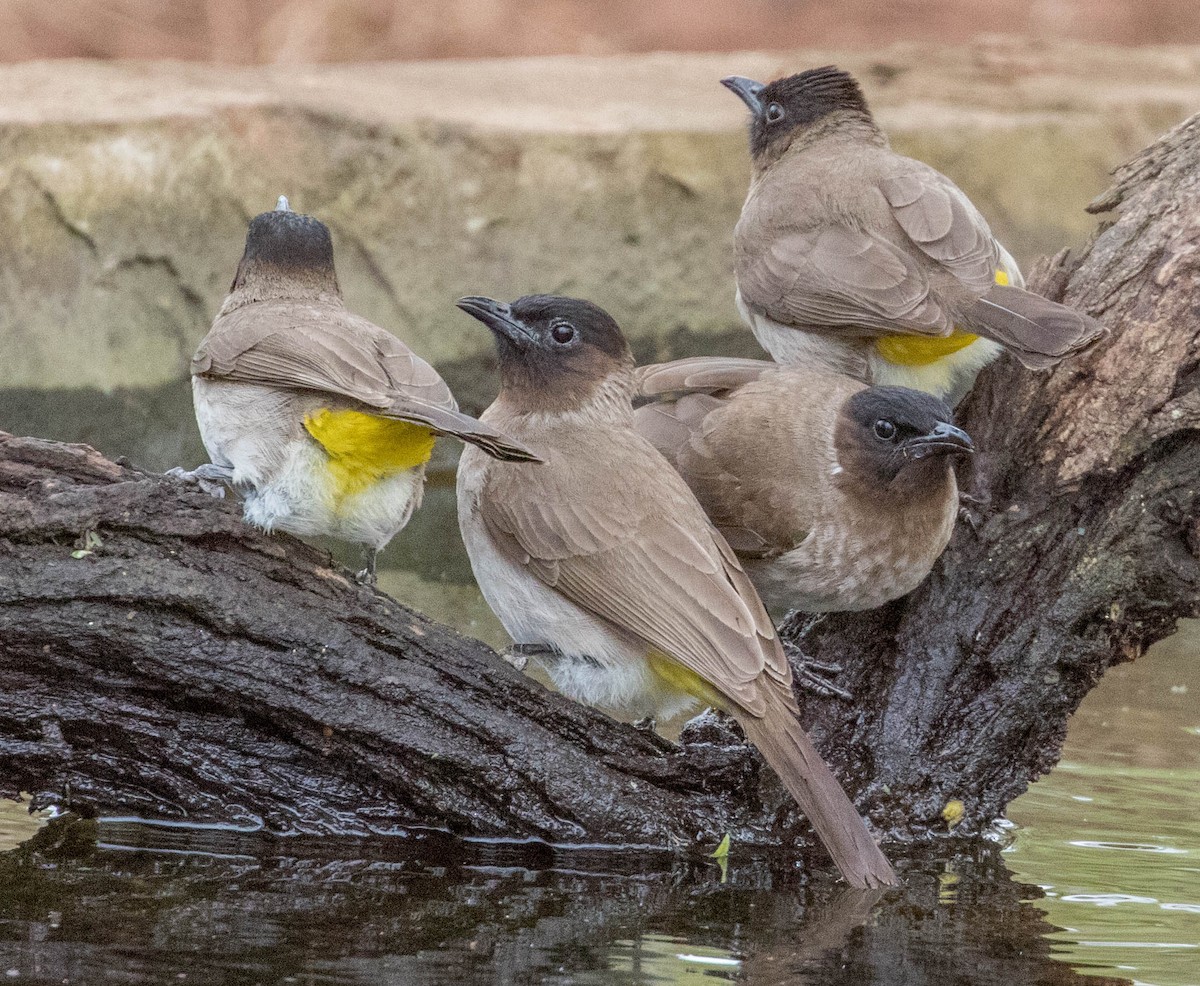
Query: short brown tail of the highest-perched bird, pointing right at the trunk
[(1040, 333)]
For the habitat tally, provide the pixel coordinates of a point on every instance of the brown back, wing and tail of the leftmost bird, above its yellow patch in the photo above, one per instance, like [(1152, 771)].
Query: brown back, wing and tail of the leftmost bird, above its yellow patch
[(313, 346)]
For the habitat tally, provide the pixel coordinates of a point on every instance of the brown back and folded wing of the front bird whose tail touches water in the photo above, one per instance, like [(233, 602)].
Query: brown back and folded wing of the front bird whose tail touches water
[(614, 530)]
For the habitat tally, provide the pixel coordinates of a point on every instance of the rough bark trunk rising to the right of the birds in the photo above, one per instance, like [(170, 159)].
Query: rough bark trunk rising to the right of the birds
[(1088, 551)]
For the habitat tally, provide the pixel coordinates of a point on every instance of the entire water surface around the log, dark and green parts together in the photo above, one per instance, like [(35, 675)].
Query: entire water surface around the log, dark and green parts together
[(1100, 877)]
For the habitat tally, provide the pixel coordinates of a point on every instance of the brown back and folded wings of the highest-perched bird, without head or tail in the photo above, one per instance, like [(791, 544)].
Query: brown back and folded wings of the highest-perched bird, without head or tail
[(905, 252)]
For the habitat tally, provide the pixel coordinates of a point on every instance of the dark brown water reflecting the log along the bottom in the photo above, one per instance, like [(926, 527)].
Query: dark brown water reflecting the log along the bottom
[(171, 905)]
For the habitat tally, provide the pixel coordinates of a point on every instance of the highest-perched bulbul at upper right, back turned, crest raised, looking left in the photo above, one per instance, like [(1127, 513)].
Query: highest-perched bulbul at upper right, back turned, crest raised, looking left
[(851, 256)]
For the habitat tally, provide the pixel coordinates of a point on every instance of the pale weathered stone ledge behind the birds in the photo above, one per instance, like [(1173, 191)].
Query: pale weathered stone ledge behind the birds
[(125, 191)]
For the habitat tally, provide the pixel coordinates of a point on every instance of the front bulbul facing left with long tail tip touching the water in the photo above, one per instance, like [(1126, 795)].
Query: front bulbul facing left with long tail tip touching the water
[(601, 561)]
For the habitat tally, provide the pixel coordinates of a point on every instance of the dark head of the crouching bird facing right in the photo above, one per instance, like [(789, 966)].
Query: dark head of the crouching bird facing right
[(895, 441)]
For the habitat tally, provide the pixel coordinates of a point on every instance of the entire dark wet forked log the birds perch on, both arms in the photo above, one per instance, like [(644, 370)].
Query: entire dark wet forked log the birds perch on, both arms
[(160, 658)]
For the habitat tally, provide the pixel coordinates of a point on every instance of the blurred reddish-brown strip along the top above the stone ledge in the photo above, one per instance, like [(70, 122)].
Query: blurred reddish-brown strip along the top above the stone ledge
[(297, 32)]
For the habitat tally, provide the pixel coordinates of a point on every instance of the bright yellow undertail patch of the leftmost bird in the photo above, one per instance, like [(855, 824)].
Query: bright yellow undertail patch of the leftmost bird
[(364, 449)]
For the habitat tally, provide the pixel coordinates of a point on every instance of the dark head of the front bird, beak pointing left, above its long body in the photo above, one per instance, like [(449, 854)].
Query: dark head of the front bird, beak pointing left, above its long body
[(555, 353)]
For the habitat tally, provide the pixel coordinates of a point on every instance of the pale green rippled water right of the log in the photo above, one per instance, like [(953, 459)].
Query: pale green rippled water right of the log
[(1112, 834)]
